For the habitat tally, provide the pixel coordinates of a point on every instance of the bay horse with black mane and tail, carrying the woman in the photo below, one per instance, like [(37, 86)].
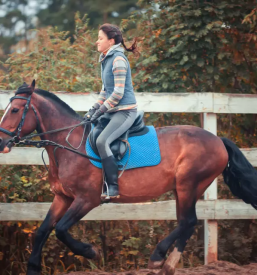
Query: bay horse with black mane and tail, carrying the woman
[(191, 158)]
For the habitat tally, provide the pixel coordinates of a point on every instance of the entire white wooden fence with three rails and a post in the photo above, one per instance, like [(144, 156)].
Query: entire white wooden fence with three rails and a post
[(209, 210)]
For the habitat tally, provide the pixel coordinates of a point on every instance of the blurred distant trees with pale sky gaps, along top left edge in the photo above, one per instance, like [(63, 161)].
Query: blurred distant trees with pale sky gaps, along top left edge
[(17, 17)]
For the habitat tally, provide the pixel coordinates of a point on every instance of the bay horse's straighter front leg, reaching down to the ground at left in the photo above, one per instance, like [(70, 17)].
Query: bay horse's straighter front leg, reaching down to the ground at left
[(57, 210)]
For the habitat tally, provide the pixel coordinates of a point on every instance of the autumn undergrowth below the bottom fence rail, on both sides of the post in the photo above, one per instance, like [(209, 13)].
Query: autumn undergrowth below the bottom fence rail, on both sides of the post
[(124, 245)]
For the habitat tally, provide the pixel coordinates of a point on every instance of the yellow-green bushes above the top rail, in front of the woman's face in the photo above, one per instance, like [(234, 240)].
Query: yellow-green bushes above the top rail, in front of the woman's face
[(55, 62)]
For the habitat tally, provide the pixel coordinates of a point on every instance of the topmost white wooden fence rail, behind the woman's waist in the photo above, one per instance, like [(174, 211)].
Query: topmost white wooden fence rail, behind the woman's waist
[(166, 102)]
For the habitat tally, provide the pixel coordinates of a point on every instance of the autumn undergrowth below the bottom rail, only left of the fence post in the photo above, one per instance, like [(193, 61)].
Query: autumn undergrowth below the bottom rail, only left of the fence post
[(125, 245)]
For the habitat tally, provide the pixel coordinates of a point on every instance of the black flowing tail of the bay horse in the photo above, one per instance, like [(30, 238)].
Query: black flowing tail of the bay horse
[(240, 175)]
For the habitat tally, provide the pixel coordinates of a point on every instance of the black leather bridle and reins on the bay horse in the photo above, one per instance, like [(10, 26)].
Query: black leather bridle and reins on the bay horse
[(26, 140)]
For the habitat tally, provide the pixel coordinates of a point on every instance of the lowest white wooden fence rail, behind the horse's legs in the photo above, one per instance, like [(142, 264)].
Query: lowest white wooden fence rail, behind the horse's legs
[(164, 210)]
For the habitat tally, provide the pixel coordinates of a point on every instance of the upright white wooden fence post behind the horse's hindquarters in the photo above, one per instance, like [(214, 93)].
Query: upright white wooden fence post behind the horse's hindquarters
[(210, 226)]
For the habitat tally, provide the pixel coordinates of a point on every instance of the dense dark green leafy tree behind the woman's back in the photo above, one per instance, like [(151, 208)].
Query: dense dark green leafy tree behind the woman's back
[(195, 46)]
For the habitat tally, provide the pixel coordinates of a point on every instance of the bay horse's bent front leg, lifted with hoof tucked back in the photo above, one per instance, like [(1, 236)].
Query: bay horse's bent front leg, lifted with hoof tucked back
[(78, 209)]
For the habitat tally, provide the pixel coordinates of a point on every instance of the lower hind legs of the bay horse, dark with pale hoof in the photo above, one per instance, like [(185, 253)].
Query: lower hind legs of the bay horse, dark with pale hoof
[(186, 215)]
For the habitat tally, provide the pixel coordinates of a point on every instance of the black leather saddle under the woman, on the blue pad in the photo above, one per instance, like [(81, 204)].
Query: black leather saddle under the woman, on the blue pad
[(118, 147)]
